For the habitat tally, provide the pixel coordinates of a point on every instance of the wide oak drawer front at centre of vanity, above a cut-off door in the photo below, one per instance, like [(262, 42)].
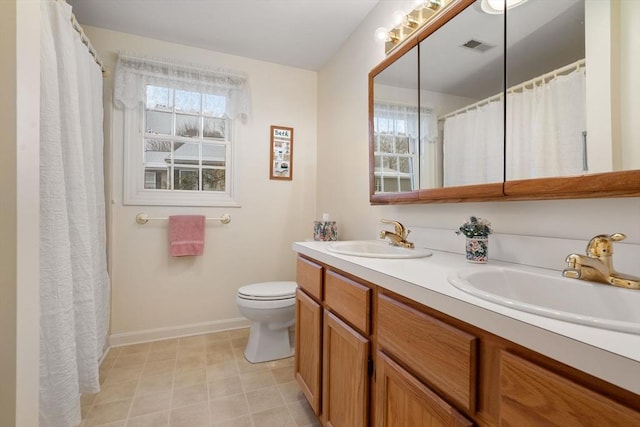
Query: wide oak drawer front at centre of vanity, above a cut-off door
[(440, 355)]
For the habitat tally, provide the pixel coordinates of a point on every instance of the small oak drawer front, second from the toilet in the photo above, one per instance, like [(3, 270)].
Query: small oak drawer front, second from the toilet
[(348, 299)]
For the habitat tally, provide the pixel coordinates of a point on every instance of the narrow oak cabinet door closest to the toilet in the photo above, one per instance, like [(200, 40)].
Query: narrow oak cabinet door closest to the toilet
[(308, 360)]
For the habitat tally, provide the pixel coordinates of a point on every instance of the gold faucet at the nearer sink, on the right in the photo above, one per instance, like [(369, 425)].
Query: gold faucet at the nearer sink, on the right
[(597, 264)]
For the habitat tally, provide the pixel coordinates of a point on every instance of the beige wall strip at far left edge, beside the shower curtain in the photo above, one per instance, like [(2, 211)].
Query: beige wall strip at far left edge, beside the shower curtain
[(19, 210)]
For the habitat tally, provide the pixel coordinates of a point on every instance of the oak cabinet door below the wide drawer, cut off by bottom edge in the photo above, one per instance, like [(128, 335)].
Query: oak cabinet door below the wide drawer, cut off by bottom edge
[(403, 401)]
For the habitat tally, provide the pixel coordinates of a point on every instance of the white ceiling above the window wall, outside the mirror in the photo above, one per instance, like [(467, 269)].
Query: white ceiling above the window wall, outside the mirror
[(297, 33)]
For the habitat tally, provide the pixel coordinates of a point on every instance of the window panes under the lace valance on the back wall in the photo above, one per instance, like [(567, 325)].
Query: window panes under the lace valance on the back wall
[(186, 142)]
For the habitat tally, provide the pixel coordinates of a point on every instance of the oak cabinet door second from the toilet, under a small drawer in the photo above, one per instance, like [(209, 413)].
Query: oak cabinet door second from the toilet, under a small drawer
[(346, 379)]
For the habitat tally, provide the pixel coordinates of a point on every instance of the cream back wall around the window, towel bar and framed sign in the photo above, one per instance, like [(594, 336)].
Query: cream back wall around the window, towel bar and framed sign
[(154, 295)]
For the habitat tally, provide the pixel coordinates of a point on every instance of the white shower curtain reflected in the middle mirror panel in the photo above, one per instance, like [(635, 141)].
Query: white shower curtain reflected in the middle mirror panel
[(473, 146)]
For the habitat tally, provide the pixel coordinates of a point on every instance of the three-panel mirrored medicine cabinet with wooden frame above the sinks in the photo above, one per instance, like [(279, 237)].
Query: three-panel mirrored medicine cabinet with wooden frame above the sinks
[(538, 102)]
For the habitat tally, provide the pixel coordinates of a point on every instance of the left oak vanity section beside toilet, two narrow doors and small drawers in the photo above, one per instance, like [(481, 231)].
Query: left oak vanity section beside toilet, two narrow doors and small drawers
[(333, 344)]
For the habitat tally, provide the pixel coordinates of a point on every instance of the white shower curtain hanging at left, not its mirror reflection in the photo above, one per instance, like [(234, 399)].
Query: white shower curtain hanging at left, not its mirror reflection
[(74, 286)]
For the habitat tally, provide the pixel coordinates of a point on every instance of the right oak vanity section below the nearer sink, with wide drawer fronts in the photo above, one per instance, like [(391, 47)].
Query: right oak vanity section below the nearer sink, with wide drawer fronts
[(461, 375)]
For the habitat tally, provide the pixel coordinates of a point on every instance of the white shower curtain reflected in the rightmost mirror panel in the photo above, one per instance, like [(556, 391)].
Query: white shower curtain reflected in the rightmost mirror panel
[(545, 127)]
